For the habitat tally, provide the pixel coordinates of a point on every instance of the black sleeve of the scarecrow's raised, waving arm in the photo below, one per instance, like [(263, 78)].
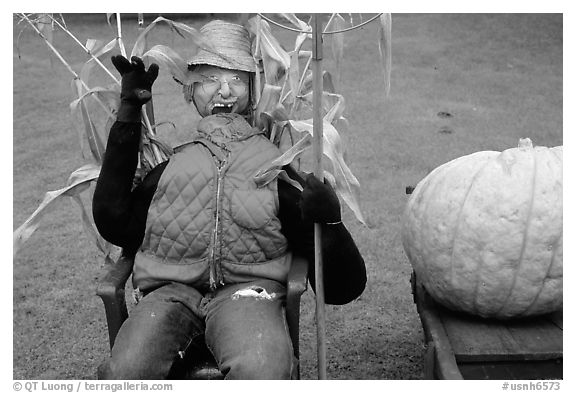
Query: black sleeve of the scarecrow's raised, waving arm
[(120, 212)]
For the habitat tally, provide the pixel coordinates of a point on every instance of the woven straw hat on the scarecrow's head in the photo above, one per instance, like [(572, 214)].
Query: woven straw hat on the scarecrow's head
[(233, 43)]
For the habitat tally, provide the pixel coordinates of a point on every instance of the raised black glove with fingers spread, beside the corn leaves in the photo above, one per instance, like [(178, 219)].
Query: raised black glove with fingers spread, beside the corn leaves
[(136, 86)]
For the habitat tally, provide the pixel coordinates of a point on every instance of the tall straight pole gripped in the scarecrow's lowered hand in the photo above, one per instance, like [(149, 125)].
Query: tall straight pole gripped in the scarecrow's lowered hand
[(317, 86)]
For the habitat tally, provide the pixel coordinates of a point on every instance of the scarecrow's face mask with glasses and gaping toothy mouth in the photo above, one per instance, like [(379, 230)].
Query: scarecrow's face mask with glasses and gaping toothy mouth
[(220, 90)]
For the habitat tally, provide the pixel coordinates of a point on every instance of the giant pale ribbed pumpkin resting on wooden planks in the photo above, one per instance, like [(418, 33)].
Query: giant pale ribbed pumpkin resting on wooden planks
[(484, 232)]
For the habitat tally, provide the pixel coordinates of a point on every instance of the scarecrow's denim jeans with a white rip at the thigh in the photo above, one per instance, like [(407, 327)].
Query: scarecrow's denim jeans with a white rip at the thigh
[(244, 326)]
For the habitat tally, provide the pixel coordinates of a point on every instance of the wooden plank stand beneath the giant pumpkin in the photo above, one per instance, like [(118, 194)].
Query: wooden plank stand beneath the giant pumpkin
[(461, 346)]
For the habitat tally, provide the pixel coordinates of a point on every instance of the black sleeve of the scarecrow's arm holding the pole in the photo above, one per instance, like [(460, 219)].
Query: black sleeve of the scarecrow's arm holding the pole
[(344, 269)]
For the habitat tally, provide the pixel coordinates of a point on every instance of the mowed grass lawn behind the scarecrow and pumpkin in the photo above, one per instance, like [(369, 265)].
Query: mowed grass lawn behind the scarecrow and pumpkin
[(498, 77)]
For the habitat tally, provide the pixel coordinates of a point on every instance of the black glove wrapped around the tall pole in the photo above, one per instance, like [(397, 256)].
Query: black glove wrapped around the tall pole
[(319, 202)]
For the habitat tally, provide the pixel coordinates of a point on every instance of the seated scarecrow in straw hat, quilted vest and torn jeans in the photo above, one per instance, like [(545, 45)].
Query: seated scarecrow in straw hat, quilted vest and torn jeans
[(212, 245)]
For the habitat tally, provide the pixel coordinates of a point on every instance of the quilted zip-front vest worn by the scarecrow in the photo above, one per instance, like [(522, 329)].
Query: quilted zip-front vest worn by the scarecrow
[(209, 224)]
